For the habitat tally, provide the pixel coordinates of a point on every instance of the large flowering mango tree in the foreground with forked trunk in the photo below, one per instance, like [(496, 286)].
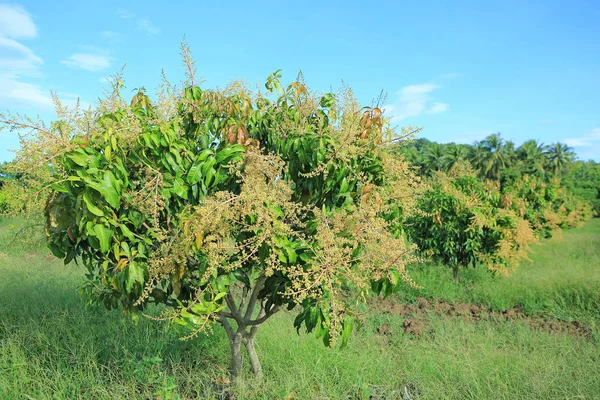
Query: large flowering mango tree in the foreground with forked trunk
[(229, 205)]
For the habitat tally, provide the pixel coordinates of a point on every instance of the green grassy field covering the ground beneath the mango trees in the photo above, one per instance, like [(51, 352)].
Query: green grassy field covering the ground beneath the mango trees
[(51, 346)]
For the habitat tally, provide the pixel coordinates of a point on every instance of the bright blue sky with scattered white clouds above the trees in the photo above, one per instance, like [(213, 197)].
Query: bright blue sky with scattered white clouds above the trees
[(461, 70)]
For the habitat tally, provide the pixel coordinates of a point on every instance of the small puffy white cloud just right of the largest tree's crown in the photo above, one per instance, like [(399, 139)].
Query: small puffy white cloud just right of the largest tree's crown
[(414, 100)]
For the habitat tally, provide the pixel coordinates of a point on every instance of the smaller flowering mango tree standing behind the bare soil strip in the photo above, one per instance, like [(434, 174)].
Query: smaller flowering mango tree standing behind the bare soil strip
[(462, 224)]
